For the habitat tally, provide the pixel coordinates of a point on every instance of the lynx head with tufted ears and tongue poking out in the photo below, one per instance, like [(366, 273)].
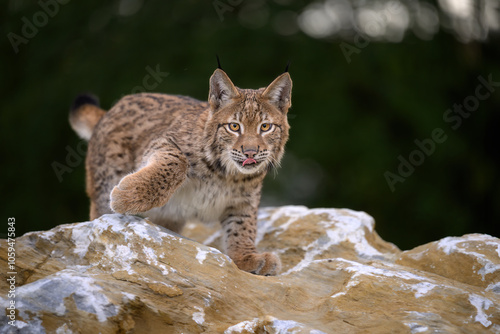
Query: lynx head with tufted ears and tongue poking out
[(247, 129)]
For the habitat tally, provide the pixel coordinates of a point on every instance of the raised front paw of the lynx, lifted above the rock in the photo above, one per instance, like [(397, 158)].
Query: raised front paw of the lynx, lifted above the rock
[(135, 194)]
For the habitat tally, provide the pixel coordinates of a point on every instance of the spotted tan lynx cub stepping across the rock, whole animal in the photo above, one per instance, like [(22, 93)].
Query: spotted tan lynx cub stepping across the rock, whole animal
[(174, 158)]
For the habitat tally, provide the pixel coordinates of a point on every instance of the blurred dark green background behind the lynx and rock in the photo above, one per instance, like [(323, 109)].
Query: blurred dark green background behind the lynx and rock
[(370, 79)]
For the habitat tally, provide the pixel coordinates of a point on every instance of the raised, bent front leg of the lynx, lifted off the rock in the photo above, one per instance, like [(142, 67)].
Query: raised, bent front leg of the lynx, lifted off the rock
[(165, 169)]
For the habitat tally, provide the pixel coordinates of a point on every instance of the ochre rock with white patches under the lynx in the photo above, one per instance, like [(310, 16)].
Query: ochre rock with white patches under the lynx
[(123, 274)]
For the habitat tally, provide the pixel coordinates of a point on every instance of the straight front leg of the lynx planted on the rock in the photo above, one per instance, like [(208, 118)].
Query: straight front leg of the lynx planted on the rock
[(240, 230)]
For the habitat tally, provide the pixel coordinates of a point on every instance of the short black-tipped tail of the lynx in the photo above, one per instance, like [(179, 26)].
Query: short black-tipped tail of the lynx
[(84, 114)]
